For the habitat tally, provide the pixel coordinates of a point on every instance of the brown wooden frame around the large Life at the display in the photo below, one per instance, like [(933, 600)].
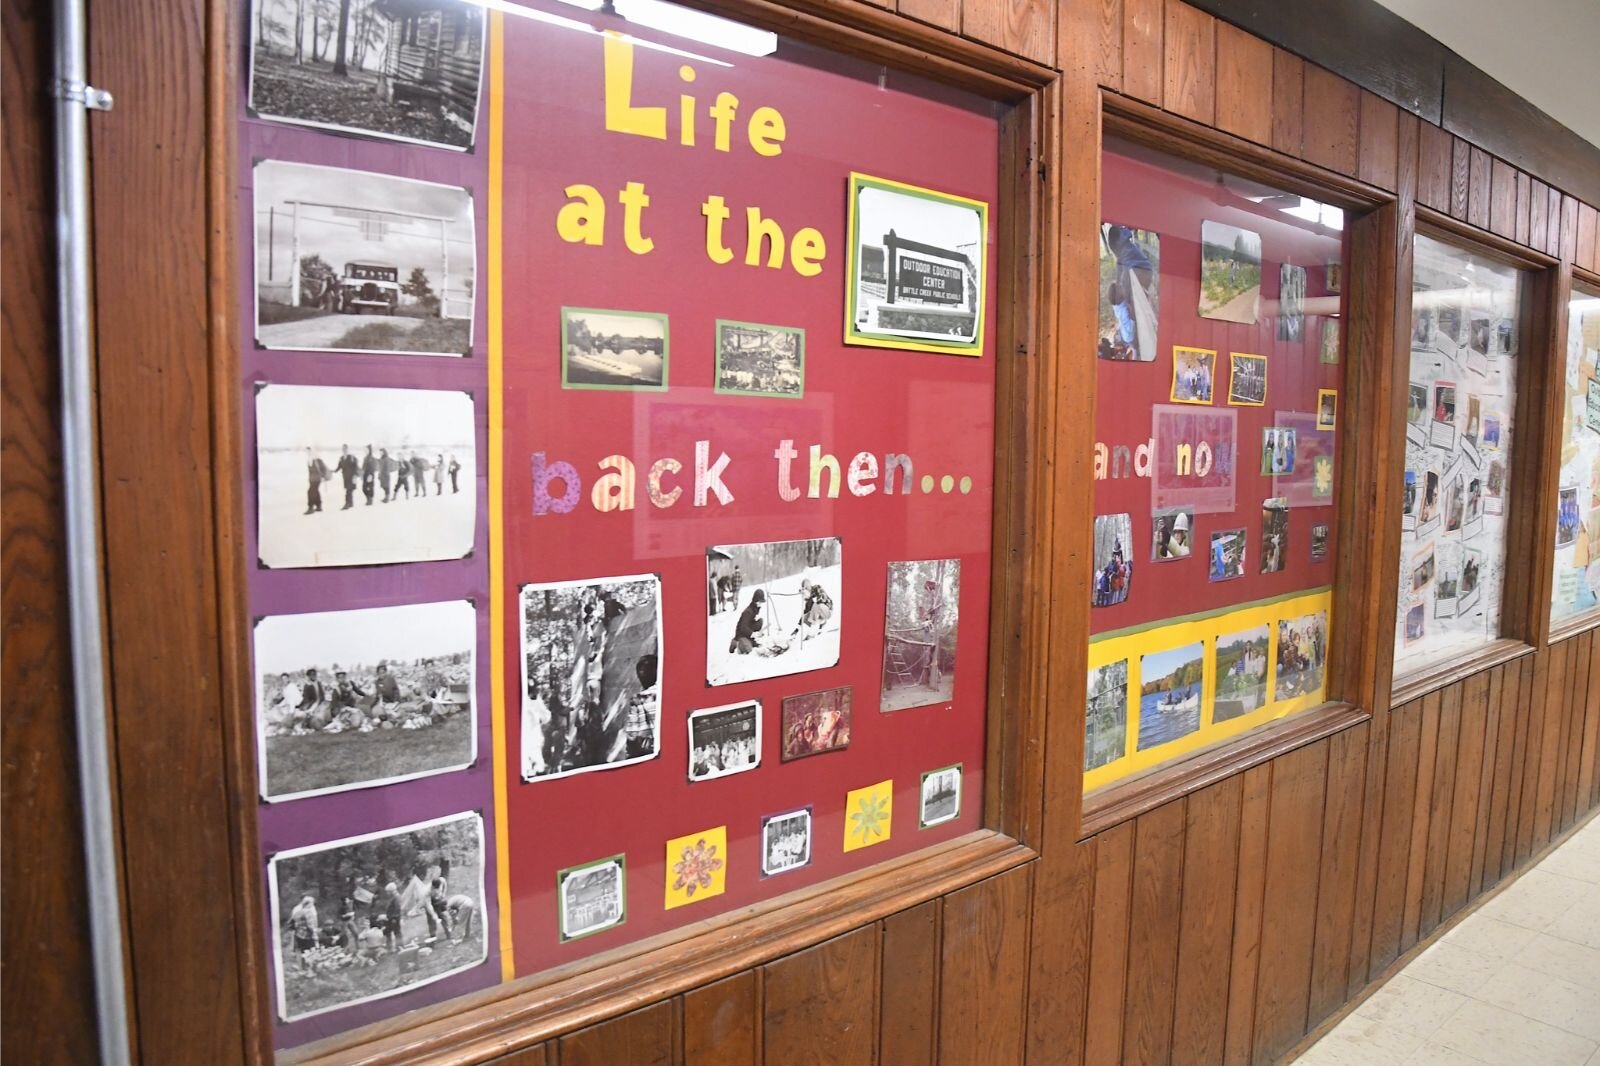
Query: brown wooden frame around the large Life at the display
[(542, 1006)]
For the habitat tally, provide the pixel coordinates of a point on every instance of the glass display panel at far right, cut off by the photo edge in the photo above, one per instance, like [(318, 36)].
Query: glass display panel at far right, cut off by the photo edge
[(1575, 590)]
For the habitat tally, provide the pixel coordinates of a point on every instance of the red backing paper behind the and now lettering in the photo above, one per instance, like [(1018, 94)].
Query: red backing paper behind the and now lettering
[(1156, 193)]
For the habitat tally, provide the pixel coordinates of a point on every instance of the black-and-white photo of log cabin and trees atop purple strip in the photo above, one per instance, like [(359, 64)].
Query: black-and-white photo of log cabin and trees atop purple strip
[(401, 70)]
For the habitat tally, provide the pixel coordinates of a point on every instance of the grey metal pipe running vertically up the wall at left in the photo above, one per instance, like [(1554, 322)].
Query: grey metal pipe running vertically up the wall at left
[(81, 465)]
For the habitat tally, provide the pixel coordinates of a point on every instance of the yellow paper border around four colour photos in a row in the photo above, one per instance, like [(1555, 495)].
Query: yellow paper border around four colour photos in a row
[(1206, 630)]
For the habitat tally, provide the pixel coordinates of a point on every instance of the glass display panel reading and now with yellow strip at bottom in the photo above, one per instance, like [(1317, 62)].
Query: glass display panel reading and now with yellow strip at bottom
[(1218, 380)]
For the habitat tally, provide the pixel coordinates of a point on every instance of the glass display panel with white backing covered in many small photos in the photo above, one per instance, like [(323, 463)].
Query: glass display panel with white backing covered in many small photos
[(1466, 326)]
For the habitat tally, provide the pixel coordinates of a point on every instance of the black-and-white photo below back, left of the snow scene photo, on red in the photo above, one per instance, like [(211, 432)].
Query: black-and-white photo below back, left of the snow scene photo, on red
[(591, 675)]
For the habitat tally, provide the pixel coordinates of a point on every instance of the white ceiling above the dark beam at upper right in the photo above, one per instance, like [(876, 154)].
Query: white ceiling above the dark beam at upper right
[(1543, 50)]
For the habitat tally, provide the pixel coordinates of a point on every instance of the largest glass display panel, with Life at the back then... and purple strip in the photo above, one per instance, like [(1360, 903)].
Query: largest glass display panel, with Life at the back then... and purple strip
[(620, 409)]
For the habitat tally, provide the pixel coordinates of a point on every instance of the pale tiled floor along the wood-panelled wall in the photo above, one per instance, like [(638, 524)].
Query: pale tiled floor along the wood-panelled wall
[(1518, 984)]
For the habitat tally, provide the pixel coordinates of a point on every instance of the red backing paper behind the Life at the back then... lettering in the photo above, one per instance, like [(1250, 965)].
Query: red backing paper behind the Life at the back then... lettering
[(548, 134)]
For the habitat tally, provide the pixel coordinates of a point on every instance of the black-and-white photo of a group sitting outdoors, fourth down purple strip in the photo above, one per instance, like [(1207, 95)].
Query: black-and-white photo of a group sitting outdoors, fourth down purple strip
[(364, 697)]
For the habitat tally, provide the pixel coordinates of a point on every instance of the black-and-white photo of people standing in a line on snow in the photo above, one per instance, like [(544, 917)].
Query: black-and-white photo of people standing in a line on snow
[(350, 476)]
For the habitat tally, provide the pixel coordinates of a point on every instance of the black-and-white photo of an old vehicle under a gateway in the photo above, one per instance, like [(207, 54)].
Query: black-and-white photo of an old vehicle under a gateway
[(354, 262)]
